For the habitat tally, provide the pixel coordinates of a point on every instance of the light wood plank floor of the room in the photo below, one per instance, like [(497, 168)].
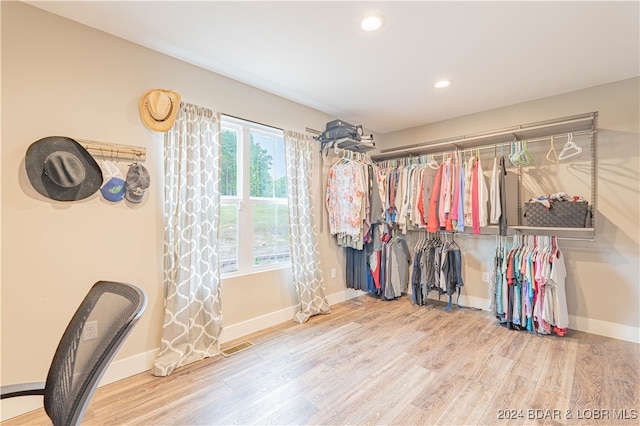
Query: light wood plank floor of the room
[(375, 362)]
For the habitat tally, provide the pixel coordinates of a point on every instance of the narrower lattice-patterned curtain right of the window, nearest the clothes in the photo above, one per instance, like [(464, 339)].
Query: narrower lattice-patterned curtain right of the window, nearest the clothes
[(307, 274)]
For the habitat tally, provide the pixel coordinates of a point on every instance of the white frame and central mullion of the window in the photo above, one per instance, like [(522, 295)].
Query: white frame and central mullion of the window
[(243, 201)]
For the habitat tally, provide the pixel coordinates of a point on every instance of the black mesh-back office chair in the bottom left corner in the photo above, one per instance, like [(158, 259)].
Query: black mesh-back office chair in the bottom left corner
[(112, 310)]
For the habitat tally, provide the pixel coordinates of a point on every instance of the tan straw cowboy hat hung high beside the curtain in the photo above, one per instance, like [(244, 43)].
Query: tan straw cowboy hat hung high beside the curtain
[(158, 109)]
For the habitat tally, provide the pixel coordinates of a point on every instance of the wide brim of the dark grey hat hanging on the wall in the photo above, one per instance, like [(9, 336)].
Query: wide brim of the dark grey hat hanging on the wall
[(35, 158)]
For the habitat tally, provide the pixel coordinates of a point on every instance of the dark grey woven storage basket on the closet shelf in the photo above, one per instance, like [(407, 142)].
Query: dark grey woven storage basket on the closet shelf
[(561, 214)]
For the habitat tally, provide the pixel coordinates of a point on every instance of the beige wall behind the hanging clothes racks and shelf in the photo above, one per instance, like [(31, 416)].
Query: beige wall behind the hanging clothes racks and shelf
[(603, 289)]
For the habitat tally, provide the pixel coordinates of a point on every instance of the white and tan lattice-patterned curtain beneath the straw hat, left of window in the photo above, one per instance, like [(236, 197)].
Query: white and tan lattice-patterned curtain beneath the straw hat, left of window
[(193, 312)]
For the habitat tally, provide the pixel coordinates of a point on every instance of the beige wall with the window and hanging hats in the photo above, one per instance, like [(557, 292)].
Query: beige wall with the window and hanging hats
[(62, 78)]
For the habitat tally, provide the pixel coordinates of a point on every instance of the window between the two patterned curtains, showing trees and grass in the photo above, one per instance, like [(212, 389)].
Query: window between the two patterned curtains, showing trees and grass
[(254, 221)]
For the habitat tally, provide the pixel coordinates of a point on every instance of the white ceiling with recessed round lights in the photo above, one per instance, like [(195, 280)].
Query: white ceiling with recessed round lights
[(495, 53)]
